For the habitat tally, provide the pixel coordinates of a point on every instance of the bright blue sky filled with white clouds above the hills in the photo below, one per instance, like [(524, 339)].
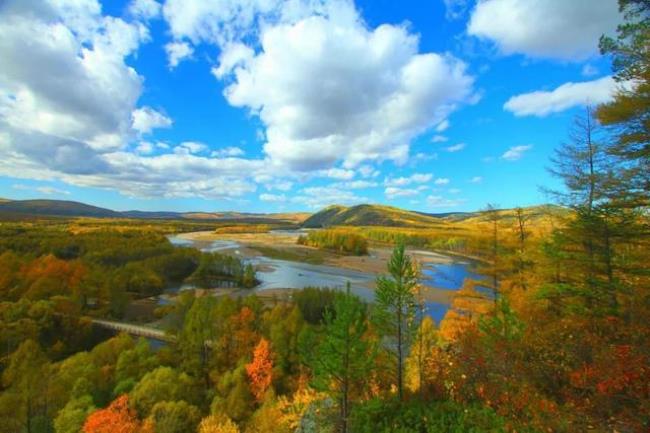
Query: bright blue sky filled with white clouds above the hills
[(270, 106)]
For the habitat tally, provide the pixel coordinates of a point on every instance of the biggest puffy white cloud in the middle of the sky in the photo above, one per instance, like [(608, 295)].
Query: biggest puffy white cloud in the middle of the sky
[(380, 92)]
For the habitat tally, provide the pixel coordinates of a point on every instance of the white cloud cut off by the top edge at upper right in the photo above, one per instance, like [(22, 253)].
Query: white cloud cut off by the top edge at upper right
[(561, 29)]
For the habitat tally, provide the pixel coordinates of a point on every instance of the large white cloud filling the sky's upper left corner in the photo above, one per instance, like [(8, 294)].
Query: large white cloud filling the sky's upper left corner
[(88, 106)]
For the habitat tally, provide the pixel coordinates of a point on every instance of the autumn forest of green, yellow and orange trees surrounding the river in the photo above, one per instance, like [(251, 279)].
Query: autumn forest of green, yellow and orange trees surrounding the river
[(561, 343)]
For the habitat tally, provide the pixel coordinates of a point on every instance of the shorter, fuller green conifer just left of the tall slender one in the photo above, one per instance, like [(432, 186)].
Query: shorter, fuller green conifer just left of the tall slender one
[(343, 358)]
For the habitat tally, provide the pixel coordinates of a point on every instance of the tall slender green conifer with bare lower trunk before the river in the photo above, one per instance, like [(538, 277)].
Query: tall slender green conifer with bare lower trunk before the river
[(395, 307)]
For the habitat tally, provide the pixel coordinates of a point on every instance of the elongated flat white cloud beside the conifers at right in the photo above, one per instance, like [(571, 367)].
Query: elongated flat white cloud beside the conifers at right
[(568, 95)]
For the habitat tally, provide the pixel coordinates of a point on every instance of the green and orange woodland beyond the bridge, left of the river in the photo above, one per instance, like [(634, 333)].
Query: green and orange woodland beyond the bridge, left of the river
[(103, 268)]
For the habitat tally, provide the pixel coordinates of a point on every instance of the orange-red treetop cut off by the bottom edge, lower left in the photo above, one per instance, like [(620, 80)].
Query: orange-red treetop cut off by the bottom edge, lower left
[(118, 417)]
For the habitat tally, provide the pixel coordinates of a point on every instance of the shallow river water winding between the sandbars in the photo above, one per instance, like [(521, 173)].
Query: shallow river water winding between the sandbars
[(281, 274)]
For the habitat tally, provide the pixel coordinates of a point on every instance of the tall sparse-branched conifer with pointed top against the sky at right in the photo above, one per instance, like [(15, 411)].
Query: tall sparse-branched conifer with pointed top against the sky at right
[(591, 232)]
